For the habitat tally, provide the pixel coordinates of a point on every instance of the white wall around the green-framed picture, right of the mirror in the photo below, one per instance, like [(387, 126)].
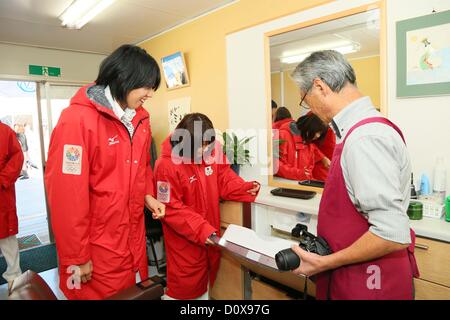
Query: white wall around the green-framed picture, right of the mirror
[(424, 121)]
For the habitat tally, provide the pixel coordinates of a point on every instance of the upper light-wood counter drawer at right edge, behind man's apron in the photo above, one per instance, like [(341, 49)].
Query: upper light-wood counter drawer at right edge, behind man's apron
[(433, 259)]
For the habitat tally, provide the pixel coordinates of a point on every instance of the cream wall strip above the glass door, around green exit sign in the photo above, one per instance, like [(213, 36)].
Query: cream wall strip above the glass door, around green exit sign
[(75, 66)]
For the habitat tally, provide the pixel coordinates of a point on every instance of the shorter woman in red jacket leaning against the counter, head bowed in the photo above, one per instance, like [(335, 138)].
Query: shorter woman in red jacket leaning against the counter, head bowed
[(190, 180)]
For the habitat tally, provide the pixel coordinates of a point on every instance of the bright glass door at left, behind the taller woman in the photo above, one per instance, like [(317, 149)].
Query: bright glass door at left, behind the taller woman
[(32, 110)]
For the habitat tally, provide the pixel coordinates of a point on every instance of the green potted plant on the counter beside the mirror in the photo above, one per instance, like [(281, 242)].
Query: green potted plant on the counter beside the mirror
[(236, 150)]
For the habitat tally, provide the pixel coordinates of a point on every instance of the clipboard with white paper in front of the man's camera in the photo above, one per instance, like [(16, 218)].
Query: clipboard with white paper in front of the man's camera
[(247, 244)]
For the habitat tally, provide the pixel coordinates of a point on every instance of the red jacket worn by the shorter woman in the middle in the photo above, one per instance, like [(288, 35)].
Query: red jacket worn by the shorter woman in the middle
[(191, 193)]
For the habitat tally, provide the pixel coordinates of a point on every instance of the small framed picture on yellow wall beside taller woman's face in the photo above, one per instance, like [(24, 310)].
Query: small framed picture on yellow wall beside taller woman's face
[(175, 71)]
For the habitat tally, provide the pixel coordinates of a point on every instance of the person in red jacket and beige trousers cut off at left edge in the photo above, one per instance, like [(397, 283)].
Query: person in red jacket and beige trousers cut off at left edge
[(11, 161)]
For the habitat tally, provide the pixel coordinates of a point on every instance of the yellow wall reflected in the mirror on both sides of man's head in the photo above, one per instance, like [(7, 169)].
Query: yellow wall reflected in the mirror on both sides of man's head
[(367, 74)]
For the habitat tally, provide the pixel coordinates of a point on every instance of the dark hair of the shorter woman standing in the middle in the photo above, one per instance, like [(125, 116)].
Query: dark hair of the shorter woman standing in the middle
[(190, 126)]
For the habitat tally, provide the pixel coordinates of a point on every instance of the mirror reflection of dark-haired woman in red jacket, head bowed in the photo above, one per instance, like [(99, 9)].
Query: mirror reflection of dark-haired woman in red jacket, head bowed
[(298, 155)]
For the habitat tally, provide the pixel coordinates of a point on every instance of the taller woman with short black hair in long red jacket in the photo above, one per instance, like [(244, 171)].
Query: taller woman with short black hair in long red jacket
[(98, 175)]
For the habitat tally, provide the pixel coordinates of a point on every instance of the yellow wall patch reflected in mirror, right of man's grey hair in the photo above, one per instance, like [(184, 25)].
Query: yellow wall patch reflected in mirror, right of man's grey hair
[(368, 77)]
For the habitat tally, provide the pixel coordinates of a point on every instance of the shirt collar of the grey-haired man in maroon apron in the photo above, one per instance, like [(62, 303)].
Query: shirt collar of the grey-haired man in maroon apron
[(351, 114)]
